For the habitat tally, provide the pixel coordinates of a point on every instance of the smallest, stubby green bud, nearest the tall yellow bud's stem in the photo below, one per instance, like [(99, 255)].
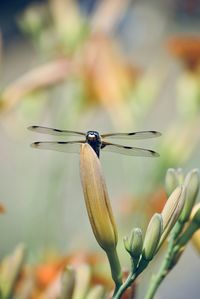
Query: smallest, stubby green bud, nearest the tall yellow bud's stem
[(133, 243)]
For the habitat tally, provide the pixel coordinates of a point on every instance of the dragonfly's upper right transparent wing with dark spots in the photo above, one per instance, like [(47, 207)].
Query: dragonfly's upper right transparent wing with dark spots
[(133, 135)]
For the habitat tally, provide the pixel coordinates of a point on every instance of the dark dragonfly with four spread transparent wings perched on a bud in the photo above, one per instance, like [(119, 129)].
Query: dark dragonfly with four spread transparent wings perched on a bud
[(95, 140)]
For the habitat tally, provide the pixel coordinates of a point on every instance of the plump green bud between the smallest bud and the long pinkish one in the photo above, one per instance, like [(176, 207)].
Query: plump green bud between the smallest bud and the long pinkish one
[(152, 237)]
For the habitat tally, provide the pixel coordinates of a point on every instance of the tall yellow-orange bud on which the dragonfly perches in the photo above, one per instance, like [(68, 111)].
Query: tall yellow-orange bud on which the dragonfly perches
[(96, 199)]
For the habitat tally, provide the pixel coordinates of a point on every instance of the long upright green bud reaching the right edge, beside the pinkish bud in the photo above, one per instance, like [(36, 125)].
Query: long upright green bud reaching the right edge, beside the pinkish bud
[(192, 189)]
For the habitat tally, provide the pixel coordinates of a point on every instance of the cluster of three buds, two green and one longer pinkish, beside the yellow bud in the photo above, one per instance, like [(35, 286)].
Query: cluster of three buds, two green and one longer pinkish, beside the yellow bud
[(157, 231)]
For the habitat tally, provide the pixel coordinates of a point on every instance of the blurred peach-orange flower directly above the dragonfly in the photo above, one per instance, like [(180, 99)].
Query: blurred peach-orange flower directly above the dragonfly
[(107, 77)]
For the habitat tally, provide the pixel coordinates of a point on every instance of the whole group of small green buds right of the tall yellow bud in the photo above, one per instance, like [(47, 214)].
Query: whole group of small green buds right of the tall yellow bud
[(171, 221)]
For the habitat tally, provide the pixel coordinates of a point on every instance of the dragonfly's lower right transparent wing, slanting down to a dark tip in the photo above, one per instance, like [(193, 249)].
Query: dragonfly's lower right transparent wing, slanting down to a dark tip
[(128, 150)]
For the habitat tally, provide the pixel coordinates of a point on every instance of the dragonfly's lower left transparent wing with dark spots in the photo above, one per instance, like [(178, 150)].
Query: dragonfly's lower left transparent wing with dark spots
[(60, 146)]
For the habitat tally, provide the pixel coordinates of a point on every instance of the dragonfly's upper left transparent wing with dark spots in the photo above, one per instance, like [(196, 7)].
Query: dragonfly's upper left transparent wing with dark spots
[(57, 132)]
